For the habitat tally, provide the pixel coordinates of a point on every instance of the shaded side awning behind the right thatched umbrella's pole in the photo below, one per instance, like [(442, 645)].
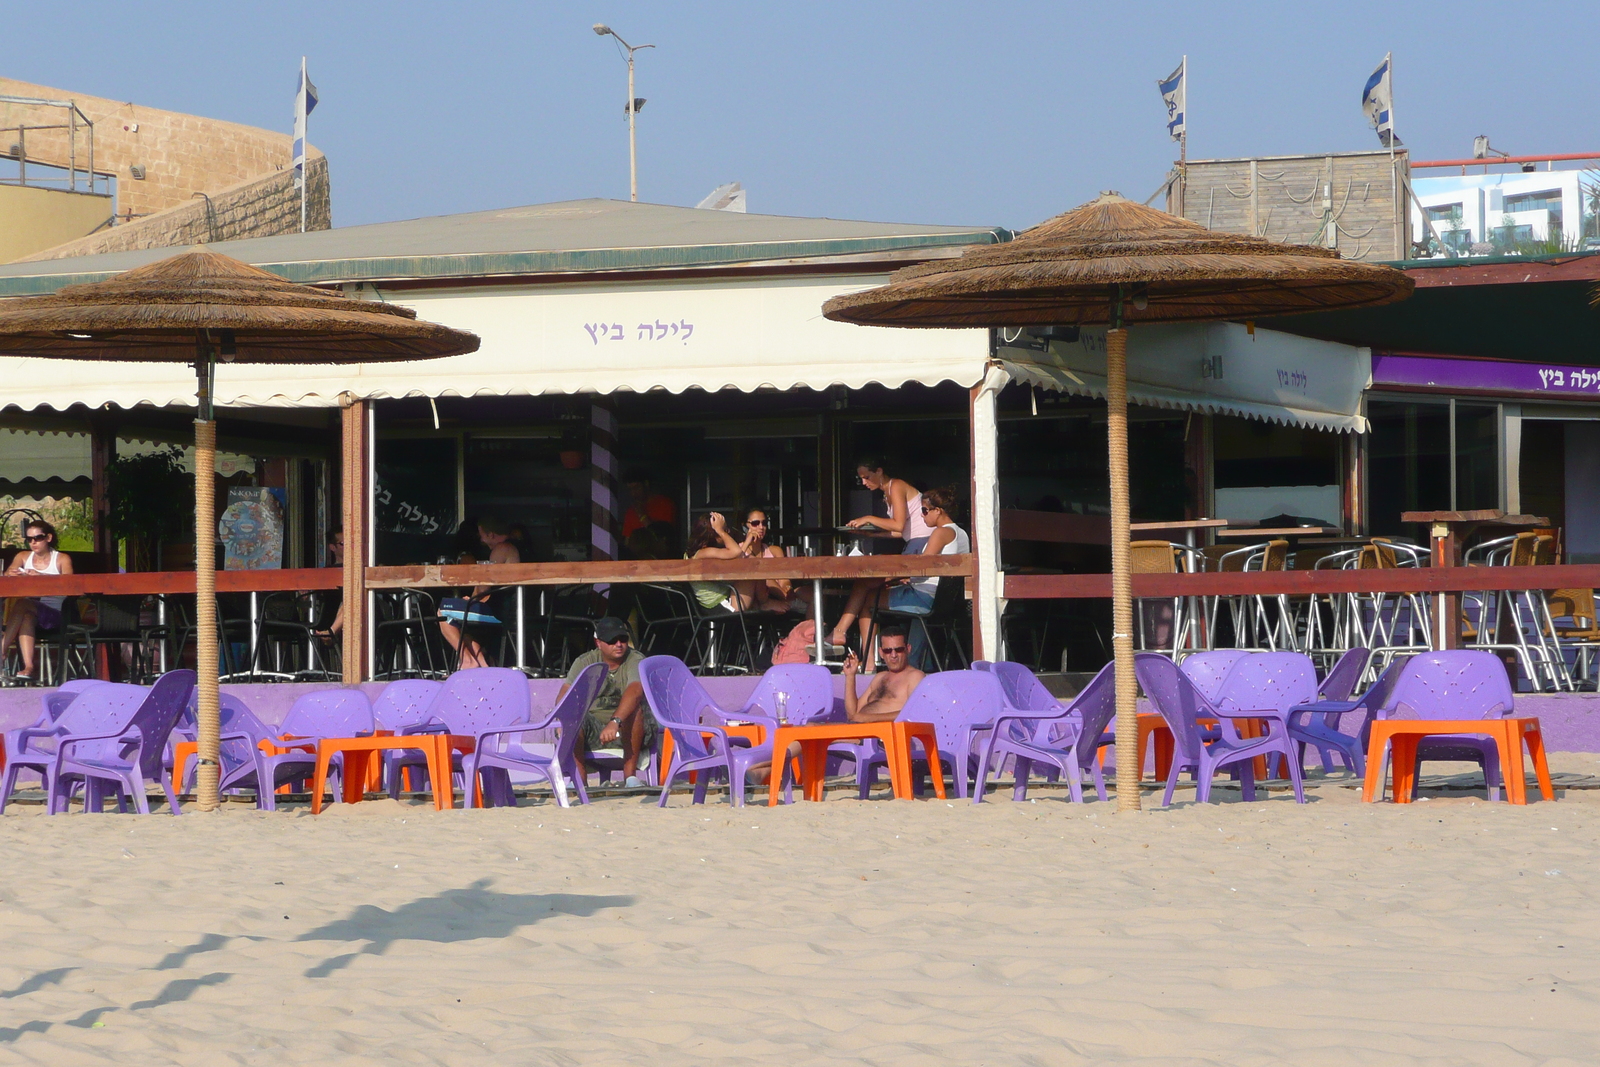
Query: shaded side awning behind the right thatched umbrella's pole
[(1220, 369)]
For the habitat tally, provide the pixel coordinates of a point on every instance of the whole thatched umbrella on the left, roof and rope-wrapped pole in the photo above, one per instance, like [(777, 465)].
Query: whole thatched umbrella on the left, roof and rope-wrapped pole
[(198, 308)]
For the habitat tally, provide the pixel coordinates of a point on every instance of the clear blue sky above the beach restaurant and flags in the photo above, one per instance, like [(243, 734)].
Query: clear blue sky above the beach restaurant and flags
[(996, 113)]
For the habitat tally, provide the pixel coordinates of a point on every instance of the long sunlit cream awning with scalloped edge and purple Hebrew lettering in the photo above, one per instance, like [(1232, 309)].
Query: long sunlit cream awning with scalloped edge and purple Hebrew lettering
[(746, 334)]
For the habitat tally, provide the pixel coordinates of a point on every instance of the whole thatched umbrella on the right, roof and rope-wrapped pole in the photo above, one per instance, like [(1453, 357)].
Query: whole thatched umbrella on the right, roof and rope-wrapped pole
[(1114, 263)]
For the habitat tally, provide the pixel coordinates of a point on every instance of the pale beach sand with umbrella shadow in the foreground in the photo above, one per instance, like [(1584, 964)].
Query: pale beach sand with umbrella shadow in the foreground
[(1449, 933)]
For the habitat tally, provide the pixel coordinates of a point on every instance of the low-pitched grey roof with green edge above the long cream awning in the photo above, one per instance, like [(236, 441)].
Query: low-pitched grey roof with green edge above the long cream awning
[(566, 238)]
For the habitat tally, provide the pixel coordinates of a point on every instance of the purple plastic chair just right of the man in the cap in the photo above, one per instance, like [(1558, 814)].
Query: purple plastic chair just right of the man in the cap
[(682, 708)]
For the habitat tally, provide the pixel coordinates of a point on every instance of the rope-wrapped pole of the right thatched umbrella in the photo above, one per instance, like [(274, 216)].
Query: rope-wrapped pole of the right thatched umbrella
[(1129, 757)]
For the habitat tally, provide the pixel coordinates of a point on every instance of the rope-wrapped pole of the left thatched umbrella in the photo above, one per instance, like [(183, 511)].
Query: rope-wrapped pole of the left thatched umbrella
[(207, 717)]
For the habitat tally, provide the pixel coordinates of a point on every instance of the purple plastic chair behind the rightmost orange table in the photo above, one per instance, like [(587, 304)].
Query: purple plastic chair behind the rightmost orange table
[(1463, 684)]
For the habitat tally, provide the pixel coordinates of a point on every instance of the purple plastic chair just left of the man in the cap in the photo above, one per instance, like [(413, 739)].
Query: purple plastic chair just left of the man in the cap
[(497, 753)]
